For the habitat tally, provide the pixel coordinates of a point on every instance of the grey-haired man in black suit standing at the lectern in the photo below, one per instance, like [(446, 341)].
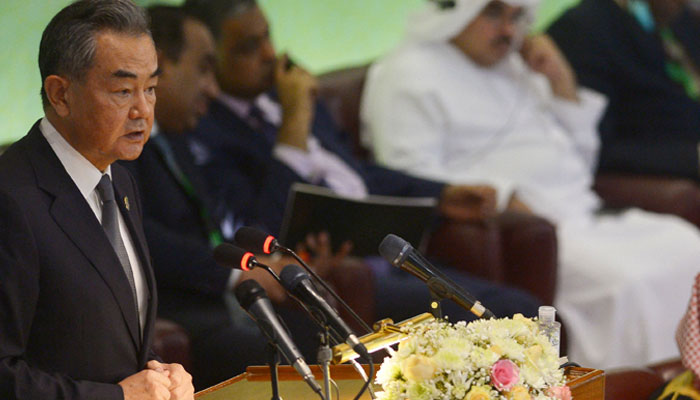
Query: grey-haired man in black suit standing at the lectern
[(77, 292)]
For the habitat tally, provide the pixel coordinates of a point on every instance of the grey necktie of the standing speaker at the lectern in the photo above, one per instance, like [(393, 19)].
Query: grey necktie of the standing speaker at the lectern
[(110, 223)]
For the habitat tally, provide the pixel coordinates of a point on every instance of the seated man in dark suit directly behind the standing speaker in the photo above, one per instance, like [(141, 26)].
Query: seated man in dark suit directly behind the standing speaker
[(180, 220)]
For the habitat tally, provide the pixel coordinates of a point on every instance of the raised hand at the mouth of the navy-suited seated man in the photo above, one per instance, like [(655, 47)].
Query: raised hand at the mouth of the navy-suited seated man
[(296, 89)]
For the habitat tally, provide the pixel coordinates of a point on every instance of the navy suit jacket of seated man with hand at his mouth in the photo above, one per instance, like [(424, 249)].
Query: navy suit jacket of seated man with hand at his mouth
[(244, 175)]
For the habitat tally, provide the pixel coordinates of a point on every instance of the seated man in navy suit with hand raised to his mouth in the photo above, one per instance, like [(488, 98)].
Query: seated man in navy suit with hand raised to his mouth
[(254, 145)]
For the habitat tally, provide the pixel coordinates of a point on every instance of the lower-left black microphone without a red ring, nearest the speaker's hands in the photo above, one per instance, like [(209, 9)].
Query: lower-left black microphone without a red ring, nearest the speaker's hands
[(254, 300)]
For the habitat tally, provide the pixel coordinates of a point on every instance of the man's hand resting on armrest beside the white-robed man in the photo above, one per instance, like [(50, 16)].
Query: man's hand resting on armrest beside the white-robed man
[(465, 203)]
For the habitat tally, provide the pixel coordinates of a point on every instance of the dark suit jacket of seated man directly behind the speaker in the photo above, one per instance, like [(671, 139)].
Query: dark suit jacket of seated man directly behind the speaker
[(176, 234)]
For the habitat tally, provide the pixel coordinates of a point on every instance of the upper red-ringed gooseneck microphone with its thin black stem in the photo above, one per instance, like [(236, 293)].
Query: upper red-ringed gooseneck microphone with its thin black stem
[(256, 240)]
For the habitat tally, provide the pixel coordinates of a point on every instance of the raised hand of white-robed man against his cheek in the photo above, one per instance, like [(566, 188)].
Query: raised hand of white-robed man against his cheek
[(542, 55)]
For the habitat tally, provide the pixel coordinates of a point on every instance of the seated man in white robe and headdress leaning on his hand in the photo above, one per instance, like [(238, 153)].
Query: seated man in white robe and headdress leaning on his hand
[(457, 101)]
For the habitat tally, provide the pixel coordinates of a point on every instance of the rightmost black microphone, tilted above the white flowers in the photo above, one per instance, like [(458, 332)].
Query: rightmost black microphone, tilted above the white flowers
[(401, 254)]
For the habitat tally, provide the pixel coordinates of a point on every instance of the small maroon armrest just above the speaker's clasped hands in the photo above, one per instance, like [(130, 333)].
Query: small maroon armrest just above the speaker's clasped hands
[(172, 343)]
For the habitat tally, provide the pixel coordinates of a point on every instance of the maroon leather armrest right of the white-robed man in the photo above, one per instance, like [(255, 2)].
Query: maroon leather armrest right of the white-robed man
[(660, 194)]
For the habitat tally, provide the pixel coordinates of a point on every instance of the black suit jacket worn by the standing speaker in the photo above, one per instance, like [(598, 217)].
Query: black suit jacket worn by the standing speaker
[(68, 323)]
